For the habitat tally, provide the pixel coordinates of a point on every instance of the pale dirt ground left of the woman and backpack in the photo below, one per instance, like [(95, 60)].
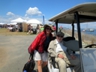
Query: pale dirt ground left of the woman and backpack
[(14, 52)]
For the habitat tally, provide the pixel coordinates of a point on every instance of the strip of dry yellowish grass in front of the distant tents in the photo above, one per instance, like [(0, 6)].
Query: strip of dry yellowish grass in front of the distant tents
[(5, 31)]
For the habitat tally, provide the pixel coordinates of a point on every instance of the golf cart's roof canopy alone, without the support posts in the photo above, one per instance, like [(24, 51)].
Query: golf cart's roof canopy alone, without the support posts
[(86, 12)]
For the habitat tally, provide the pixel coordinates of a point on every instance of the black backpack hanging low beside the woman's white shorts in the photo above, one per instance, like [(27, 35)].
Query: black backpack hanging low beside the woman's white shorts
[(29, 66)]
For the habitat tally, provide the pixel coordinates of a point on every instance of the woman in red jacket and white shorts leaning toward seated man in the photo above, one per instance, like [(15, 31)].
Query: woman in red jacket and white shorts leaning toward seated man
[(39, 47)]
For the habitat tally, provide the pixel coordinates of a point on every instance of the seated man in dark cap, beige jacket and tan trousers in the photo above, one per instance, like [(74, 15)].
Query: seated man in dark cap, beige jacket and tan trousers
[(63, 56)]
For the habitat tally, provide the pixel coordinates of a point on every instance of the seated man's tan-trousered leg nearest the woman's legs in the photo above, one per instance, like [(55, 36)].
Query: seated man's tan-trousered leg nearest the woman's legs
[(61, 64)]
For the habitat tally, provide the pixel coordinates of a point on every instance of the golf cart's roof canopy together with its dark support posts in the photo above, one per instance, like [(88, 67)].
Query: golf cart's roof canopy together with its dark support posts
[(79, 14)]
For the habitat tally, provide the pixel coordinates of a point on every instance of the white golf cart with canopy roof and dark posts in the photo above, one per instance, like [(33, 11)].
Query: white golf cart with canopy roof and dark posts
[(79, 14)]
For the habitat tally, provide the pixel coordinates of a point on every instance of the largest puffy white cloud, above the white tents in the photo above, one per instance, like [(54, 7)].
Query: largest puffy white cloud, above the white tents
[(33, 11)]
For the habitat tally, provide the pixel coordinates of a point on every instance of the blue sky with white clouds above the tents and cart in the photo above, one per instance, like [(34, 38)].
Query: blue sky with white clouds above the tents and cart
[(29, 9)]
